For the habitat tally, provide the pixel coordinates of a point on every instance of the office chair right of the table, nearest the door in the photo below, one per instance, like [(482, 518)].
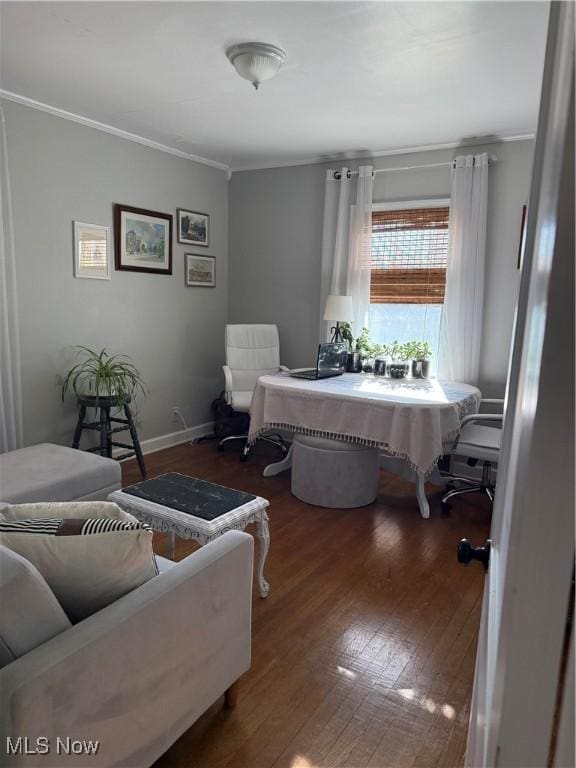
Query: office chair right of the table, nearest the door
[(477, 443)]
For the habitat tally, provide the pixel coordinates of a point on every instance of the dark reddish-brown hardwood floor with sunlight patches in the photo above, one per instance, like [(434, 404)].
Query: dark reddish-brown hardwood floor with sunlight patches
[(363, 653)]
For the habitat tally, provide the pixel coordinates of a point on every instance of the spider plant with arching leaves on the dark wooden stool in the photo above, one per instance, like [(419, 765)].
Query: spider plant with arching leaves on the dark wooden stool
[(98, 375)]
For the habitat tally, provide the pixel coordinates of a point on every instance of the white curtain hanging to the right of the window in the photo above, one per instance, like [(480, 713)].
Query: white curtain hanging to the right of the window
[(462, 312)]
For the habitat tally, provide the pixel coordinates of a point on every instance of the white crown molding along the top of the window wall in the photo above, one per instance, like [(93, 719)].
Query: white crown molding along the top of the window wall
[(351, 156)]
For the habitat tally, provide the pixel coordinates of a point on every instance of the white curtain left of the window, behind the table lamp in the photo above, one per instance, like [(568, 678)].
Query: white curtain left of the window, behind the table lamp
[(346, 241)]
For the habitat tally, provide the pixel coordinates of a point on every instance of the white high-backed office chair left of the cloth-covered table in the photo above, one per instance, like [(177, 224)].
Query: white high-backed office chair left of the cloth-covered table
[(251, 351)]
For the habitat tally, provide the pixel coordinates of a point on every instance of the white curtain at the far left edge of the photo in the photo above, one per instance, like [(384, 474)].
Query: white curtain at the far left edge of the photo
[(10, 378)]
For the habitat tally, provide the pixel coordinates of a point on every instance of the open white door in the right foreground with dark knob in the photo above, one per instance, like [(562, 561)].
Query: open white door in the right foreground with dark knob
[(531, 562)]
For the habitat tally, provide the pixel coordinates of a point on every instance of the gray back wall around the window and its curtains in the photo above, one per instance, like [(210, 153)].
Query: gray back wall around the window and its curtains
[(276, 245)]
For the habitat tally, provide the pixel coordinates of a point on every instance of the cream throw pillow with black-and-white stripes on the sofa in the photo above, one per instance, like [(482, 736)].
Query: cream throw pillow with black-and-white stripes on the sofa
[(86, 566)]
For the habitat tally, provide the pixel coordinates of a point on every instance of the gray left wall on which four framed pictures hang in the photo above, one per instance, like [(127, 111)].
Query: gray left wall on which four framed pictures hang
[(61, 172)]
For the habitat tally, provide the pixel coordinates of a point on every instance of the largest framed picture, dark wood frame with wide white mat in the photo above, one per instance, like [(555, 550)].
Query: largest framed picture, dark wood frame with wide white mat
[(143, 240)]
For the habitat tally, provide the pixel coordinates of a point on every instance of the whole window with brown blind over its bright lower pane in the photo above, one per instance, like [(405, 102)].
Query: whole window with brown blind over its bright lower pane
[(408, 274)]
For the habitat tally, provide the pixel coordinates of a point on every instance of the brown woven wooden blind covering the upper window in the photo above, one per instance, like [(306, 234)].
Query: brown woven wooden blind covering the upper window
[(408, 256)]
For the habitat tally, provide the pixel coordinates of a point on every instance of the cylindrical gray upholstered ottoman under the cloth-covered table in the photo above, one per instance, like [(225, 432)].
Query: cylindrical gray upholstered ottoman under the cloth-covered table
[(333, 473)]
